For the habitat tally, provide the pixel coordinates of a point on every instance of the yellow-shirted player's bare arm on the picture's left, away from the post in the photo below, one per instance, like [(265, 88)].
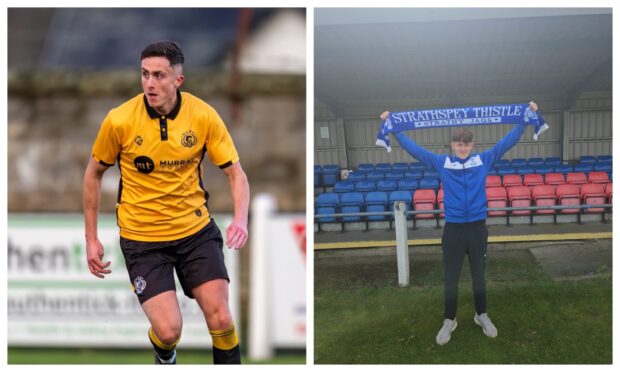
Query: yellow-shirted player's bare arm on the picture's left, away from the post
[(90, 195)]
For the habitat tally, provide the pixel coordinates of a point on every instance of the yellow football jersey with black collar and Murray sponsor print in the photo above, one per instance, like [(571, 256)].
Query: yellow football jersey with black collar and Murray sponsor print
[(161, 195)]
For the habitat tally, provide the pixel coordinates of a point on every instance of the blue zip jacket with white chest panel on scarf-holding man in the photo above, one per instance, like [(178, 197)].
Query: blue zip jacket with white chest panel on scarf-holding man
[(464, 181)]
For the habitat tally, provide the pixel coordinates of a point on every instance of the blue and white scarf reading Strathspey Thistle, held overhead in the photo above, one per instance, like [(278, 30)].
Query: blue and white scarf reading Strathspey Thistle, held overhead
[(454, 117)]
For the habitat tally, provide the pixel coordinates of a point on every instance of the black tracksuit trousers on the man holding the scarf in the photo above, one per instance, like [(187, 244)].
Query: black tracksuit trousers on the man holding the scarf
[(458, 240)]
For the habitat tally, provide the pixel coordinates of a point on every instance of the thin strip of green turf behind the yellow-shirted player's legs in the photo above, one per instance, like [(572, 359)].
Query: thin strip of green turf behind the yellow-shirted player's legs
[(110, 356)]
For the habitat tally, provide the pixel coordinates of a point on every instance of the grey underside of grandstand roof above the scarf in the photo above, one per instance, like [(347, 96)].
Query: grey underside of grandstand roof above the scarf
[(377, 55)]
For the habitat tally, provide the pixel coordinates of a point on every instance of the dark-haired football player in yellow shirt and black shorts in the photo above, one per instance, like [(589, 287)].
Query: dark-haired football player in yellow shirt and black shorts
[(159, 139)]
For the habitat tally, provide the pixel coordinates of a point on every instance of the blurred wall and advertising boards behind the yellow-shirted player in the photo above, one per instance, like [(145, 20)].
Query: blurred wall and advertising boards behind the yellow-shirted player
[(66, 69)]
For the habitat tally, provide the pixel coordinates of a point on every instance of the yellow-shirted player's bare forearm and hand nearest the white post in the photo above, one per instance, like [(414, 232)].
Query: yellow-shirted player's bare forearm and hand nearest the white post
[(237, 231)]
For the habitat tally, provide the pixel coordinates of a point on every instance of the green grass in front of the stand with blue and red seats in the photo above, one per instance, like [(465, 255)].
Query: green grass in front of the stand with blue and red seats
[(371, 321)]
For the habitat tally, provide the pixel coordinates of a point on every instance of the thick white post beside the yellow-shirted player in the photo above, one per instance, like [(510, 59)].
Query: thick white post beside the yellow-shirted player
[(260, 344)]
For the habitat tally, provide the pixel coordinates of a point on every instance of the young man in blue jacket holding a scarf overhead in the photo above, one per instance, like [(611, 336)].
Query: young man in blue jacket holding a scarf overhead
[(465, 233)]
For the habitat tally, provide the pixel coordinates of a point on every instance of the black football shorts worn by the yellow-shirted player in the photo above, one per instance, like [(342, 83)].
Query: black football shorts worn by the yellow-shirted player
[(197, 259)]
